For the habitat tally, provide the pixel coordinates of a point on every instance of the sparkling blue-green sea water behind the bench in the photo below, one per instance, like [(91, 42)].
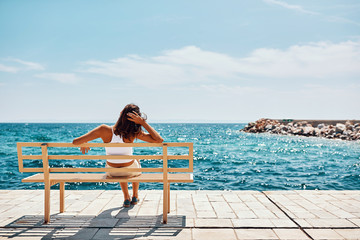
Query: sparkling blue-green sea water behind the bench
[(224, 158)]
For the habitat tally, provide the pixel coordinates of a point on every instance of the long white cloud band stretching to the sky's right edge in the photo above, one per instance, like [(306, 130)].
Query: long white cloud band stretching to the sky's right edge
[(320, 61)]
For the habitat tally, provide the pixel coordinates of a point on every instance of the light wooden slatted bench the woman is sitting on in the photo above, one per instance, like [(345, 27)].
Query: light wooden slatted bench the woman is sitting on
[(60, 175)]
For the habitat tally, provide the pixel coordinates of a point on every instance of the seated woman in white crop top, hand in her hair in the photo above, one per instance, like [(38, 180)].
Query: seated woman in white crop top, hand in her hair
[(127, 128)]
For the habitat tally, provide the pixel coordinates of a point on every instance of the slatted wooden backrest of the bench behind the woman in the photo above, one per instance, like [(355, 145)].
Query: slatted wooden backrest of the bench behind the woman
[(45, 157)]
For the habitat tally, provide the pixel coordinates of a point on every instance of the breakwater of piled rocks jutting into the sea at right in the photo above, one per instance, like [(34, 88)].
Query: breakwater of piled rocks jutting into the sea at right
[(347, 131)]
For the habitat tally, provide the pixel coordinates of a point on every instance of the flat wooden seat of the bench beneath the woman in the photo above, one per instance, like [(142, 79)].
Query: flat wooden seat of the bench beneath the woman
[(84, 177)]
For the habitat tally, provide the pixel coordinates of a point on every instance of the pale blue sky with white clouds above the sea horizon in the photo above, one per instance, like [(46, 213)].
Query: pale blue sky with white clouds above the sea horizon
[(180, 61)]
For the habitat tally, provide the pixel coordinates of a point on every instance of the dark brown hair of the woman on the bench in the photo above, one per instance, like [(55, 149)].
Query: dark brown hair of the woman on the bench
[(126, 128)]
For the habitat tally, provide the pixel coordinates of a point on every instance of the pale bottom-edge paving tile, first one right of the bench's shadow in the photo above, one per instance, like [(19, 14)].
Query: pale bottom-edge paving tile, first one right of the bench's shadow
[(213, 234)]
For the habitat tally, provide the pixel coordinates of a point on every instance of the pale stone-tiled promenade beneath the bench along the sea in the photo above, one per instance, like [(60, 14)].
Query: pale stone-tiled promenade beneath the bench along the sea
[(219, 215)]
